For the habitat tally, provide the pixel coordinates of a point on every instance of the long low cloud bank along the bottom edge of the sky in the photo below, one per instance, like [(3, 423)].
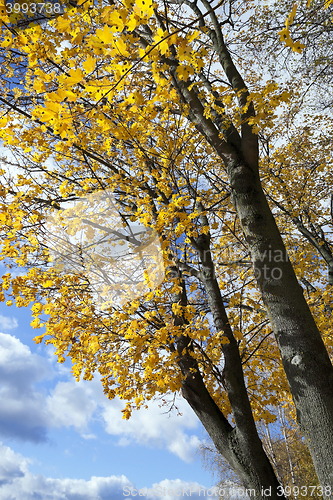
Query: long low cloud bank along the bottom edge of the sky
[(16, 481)]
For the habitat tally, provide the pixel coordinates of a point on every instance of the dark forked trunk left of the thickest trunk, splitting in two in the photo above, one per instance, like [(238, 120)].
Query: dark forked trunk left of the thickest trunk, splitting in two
[(240, 444)]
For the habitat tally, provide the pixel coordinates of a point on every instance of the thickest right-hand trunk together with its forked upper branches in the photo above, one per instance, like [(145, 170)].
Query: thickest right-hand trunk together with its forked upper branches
[(305, 359)]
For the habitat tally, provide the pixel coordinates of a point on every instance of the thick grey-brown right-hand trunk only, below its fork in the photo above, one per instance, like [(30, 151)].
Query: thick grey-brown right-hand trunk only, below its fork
[(305, 359)]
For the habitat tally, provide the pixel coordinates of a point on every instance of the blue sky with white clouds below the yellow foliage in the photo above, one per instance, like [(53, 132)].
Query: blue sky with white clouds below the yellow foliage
[(64, 440)]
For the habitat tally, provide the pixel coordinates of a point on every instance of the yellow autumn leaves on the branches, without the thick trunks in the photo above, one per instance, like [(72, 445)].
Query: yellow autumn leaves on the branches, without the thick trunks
[(101, 112)]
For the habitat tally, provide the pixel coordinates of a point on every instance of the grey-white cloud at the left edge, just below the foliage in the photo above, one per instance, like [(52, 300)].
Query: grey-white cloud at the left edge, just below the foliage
[(25, 412)]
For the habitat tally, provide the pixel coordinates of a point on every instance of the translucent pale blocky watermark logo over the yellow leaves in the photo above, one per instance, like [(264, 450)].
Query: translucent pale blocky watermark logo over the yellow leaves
[(91, 236)]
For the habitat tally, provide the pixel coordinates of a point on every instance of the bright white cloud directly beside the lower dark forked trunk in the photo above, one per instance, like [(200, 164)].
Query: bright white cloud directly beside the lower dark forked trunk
[(153, 427)]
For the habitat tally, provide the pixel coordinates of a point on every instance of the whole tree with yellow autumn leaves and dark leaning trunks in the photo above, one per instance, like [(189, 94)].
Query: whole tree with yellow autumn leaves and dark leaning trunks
[(142, 122)]
